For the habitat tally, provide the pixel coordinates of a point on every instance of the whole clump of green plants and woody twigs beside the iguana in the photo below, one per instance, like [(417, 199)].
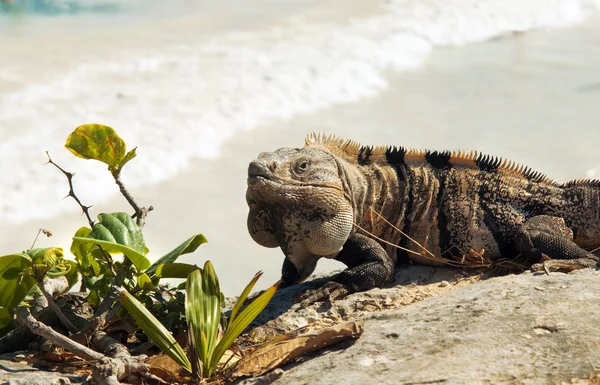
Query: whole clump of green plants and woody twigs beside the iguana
[(122, 289)]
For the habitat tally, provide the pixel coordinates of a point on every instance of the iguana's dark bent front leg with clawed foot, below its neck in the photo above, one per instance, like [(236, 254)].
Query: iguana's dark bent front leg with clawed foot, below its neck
[(369, 266)]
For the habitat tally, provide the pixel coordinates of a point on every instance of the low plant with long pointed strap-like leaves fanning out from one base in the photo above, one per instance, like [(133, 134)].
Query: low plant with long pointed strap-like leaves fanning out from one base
[(203, 304)]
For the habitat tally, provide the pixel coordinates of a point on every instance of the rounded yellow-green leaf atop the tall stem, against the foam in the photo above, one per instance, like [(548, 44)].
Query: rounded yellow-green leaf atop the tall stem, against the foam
[(99, 142)]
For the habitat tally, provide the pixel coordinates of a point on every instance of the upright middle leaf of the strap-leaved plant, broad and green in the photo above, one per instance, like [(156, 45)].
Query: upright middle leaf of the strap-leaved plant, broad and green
[(203, 313)]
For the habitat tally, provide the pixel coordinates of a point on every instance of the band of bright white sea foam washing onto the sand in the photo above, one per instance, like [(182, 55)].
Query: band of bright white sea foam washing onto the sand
[(181, 98)]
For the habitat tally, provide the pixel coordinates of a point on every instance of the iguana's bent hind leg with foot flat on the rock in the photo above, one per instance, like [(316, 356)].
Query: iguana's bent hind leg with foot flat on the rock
[(547, 235)]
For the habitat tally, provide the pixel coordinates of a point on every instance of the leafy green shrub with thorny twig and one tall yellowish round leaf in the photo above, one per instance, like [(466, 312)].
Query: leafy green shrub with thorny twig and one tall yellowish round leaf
[(93, 247)]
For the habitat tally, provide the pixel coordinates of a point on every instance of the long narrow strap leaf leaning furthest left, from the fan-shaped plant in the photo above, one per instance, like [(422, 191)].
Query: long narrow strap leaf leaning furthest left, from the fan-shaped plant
[(155, 330)]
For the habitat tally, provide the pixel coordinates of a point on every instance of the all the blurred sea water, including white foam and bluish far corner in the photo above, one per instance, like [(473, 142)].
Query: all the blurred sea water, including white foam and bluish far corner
[(178, 78)]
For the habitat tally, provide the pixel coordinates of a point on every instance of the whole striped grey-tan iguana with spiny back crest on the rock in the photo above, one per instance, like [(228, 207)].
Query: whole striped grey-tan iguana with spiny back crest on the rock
[(373, 208)]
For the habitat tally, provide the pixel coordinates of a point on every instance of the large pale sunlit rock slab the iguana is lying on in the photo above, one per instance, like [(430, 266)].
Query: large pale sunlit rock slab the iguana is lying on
[(516, 329)]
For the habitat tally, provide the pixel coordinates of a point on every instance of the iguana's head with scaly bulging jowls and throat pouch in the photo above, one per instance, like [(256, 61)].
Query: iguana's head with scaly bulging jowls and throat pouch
[(298, 202)]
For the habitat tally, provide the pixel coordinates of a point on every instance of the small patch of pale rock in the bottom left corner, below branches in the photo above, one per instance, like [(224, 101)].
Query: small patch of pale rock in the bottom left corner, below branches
[(15, 370)]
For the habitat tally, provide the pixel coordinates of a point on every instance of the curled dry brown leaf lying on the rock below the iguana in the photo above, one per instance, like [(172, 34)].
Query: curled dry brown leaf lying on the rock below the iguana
[(274, 354)]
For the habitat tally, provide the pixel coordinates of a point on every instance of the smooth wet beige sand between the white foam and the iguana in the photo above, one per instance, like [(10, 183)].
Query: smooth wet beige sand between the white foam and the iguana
[(531, 97)]
